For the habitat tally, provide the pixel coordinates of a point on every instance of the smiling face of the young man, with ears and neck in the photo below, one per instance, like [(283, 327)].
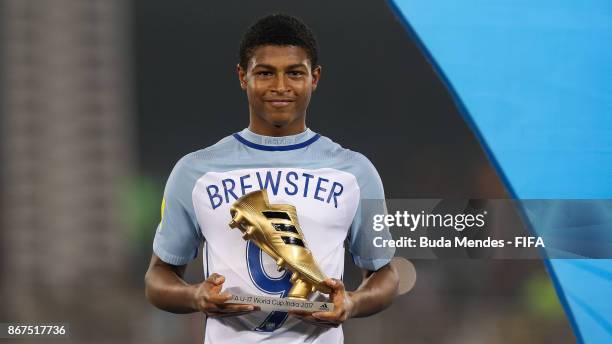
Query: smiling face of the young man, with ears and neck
[(279, 81)]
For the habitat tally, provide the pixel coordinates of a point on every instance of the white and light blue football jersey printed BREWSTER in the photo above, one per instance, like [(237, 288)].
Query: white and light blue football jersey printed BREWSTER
[(326, 183)]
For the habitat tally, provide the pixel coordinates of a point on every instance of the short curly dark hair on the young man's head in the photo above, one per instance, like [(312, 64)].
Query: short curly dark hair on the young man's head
[(278, 29)]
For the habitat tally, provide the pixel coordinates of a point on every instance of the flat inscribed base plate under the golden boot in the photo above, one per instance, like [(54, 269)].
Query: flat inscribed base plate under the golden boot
[(270, 303)]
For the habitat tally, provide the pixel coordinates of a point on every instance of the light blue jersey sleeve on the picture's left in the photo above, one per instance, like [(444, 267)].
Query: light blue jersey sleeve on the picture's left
[(178, 235)]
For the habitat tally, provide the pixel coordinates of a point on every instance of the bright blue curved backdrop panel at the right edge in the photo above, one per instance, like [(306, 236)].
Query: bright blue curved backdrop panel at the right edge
[(534, 81)]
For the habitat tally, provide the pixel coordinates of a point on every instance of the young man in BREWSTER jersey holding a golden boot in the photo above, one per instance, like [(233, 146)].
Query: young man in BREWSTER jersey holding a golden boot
[(335, 191)]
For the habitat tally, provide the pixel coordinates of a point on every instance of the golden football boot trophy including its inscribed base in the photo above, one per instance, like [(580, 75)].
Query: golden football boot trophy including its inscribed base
[(275, 229)]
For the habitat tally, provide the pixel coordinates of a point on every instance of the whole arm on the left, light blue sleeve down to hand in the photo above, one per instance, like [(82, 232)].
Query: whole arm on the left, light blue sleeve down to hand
[(176, 242)]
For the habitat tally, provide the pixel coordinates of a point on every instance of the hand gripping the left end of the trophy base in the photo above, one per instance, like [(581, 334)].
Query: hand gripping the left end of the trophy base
[(209, 299)]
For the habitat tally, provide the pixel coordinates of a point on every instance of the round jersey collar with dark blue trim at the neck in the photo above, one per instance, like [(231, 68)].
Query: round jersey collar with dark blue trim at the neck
[(276, 143)]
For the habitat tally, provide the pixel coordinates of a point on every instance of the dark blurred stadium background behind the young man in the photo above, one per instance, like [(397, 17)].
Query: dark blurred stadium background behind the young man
[(99, 99)]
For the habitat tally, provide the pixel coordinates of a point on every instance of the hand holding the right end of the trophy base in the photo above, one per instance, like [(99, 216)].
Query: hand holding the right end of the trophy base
[(343, 306)]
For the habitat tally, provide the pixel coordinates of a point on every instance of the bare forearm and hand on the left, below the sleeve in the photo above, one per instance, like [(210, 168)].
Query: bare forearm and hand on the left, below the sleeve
[(166, 289)]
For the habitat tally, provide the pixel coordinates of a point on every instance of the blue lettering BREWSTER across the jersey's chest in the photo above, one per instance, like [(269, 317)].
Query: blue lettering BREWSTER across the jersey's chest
[(289, 182)]
